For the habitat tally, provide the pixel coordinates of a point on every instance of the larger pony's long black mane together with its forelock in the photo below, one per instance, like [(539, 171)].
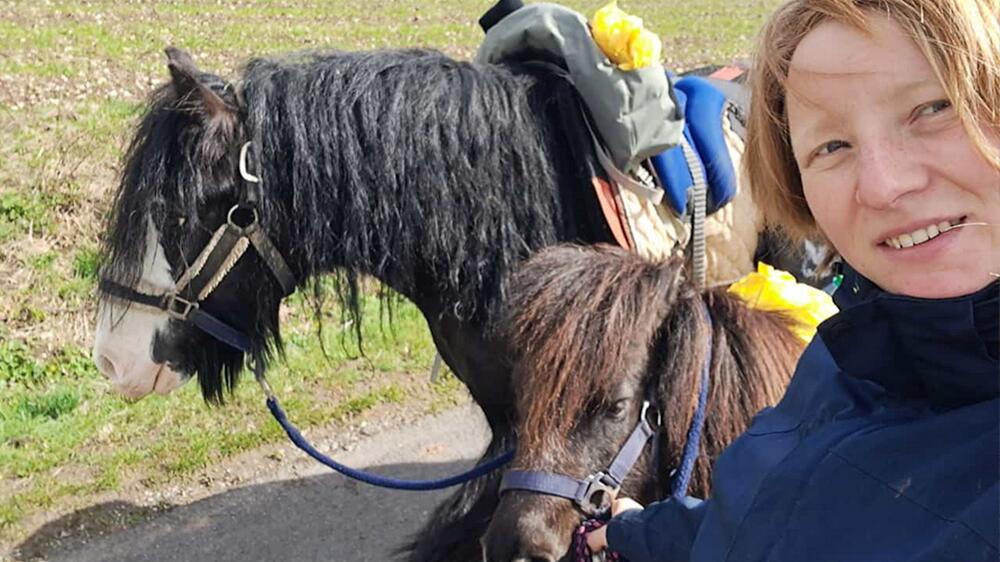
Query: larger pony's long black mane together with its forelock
[(406, 165)]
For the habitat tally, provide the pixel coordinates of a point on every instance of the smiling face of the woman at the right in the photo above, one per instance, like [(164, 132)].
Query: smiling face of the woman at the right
[(887, 168)]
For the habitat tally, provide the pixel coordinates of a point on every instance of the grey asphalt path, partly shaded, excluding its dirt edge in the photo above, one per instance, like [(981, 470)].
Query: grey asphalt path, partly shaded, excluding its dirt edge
[(317, 515)]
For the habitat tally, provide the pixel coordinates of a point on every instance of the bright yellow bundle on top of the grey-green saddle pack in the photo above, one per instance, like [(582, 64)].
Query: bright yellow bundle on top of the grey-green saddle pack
[(623, 38)]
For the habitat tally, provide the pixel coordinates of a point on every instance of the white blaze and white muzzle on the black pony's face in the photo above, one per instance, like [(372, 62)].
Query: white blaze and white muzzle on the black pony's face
[(123, 343)]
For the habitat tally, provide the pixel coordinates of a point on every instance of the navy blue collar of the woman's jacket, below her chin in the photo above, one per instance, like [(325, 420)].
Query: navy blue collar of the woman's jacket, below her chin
[(943, 351)]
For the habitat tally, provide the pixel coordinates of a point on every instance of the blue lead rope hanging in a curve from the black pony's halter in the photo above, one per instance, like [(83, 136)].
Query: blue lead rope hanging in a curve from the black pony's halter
[(375, 479)]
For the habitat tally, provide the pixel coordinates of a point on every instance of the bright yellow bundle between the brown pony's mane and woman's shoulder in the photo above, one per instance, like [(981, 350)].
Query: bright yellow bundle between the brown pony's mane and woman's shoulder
[(772, 289)]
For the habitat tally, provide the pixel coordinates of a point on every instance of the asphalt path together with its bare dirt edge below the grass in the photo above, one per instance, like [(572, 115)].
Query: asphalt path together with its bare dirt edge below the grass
[(275, 502)]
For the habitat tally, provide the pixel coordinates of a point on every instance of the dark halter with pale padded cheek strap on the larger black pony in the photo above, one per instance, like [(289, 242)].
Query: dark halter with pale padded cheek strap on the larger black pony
[(229, 242)]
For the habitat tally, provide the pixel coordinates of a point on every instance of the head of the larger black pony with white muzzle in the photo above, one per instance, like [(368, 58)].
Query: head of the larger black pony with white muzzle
[(180, 186)]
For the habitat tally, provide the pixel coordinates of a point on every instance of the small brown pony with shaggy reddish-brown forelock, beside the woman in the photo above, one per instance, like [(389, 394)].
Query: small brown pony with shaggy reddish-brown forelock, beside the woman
[(597, 331)]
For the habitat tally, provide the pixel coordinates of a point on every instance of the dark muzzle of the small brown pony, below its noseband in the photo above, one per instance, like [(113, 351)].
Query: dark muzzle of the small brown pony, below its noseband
[(528, 527)]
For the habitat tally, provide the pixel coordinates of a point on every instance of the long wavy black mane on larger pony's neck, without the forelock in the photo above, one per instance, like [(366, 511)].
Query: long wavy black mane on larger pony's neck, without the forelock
[(416, 168)]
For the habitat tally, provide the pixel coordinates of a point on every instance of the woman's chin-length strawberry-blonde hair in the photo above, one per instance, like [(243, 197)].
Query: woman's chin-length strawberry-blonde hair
[(959, 38)]
